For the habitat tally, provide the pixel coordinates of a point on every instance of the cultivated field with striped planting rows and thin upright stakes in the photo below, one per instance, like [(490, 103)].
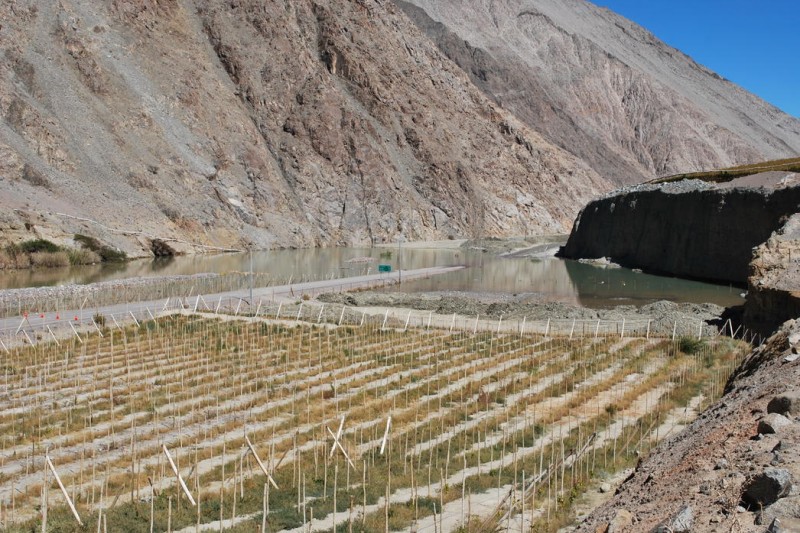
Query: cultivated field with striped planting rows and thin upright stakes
[(488, 429)]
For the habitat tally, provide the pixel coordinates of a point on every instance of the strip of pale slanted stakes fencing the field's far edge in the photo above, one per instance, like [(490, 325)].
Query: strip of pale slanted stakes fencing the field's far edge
[(46, 326)]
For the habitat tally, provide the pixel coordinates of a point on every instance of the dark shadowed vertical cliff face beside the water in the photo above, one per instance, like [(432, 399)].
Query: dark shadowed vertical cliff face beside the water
[(684, 229)]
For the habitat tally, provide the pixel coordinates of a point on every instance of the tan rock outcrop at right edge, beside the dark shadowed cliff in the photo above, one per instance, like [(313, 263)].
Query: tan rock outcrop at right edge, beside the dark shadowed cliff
[(773, 294)]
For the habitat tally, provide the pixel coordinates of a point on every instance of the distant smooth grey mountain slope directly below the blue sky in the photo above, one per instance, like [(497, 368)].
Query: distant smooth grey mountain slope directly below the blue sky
[(604, 88)]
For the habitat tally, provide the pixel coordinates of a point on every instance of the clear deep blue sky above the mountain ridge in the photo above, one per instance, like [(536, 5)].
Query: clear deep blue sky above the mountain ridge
[(755, 44)]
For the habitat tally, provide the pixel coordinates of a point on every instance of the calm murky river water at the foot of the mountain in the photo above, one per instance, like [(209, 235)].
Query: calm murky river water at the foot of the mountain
[(546, 279)]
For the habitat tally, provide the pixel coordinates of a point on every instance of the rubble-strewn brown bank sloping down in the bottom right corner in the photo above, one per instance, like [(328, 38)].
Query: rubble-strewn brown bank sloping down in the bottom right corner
[(721, 473)]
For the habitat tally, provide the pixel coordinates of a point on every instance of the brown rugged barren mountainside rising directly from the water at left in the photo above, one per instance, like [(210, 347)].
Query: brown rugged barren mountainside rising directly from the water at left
[(258, 123)]
